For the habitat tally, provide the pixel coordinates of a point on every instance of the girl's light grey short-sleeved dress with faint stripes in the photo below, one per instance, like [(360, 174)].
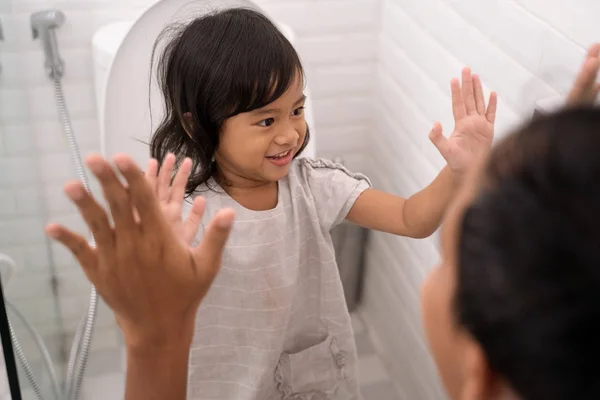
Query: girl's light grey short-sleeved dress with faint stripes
[(274, 324)]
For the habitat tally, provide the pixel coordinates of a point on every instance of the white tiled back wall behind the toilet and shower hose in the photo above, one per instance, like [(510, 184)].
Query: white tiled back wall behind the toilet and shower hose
[(337, 42)]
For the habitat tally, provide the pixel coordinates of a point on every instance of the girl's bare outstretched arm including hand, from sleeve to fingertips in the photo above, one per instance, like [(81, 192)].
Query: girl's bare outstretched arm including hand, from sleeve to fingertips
[(421, 214)]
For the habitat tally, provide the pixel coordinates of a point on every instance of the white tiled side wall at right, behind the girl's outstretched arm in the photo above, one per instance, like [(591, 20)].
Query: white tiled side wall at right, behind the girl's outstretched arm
[(523, 49)]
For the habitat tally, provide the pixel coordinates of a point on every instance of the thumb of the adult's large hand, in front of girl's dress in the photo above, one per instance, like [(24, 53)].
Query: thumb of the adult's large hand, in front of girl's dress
[(210, 249)]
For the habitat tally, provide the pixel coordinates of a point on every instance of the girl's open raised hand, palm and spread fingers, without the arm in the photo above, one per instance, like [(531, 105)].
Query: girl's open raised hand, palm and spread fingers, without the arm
[(473, 124)]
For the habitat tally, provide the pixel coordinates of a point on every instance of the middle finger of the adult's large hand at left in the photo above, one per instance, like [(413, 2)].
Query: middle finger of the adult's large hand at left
[(114, 192)]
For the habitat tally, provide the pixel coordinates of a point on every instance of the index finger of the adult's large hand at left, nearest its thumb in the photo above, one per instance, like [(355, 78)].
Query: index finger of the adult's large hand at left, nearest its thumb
[(142, 197)]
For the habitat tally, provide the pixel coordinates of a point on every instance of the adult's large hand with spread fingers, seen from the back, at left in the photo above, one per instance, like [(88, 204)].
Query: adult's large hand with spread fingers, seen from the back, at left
[(151, 278)]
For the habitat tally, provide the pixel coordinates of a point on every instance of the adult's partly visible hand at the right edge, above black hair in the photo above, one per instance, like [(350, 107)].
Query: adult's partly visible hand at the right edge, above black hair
[(585, 89)]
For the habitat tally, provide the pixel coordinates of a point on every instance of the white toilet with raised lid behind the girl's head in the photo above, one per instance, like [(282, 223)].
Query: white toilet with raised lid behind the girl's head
[(124, 97)]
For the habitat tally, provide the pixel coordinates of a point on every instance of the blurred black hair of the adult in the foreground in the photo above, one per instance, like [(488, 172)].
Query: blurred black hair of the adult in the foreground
[(529, 259)]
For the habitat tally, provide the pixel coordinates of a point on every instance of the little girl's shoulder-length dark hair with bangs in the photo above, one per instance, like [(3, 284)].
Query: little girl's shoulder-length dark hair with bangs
[(221, 64)]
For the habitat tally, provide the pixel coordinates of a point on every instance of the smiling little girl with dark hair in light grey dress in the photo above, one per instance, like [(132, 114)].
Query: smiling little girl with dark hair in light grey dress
[(275, 325)]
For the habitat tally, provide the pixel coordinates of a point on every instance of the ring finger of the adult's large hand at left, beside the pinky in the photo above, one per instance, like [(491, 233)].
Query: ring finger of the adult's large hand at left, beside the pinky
[(93, 214)]
